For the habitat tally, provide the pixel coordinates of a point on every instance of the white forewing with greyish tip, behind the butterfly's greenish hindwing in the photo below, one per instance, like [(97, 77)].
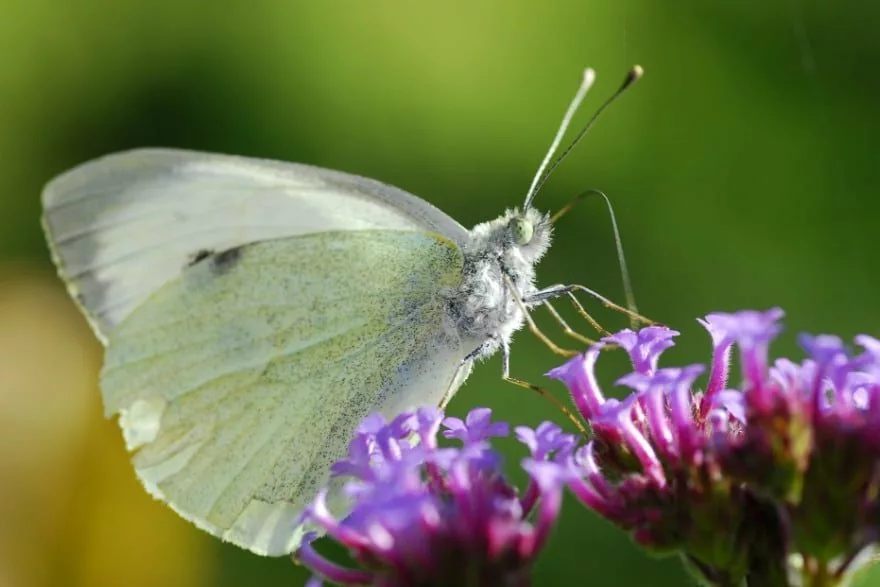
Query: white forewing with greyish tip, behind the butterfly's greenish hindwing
[(123, 225)]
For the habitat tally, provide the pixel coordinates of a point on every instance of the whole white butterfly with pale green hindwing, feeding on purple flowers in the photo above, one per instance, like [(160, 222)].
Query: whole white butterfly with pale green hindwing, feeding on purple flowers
[(254, 311)]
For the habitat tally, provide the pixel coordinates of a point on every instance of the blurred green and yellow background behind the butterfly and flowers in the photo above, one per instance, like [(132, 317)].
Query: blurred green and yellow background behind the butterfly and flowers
[(743, 169)]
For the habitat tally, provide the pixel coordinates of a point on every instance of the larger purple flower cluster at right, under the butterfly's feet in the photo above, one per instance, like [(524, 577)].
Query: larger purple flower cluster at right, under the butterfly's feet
[(774, 481)]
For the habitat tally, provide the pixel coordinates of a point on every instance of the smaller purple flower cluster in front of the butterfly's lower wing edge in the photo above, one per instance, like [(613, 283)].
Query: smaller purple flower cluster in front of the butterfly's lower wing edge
[(424, 515)]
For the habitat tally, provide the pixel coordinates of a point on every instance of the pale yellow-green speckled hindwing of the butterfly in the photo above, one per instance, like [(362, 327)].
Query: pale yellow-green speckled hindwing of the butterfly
[(240, 382)]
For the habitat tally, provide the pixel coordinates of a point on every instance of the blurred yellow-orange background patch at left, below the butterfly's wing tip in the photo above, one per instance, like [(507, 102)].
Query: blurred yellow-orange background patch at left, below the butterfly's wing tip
[(71, 511)]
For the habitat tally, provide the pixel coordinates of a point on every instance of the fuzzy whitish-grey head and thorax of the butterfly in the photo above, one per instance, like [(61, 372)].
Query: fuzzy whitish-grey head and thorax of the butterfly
[(483, 307)]
